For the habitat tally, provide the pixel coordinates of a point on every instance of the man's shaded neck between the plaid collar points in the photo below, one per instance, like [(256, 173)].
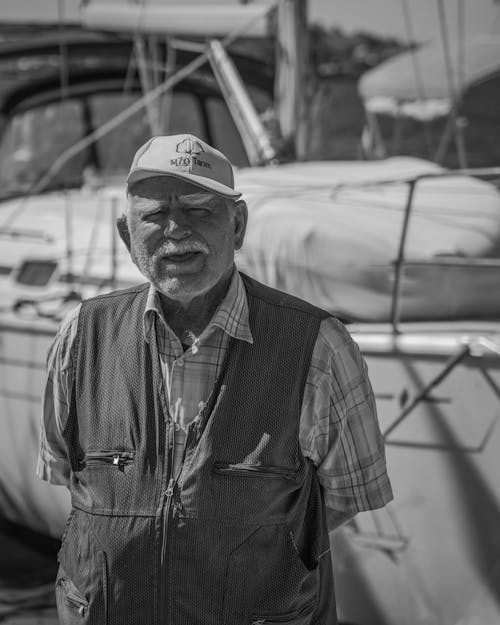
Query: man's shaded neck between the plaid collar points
[(188, 318)]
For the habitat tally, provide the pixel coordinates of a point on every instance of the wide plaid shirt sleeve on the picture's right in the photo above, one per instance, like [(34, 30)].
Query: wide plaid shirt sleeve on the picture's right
[(339, 428)]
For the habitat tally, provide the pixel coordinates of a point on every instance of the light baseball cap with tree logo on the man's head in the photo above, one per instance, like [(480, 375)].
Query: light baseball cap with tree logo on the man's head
[(185, 157)]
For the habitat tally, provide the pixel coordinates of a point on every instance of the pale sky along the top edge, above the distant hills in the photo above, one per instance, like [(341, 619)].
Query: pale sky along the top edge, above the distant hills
[(380, 17)]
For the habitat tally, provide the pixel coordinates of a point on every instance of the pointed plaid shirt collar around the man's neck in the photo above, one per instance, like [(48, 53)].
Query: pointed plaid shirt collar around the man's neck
[(231, 316)]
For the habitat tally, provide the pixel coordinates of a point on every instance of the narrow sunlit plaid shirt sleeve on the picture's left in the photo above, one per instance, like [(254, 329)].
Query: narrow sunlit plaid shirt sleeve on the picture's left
[(53, 464)]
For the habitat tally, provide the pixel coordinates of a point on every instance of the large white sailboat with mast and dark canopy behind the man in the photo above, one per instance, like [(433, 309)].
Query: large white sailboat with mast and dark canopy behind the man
[(403, 250)]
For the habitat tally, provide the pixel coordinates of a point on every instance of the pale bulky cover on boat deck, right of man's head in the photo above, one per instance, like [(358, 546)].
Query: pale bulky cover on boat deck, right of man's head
[(316, 232)]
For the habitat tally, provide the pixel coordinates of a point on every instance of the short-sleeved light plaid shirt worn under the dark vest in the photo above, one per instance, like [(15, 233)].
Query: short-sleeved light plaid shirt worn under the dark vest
[(339, 429)]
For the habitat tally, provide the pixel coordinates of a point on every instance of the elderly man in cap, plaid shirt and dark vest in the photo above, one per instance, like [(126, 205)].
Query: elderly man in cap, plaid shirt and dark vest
[(202, 421)]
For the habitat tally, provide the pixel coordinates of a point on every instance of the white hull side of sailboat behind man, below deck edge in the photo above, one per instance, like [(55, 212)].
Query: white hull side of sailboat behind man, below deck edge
[(432, 556)]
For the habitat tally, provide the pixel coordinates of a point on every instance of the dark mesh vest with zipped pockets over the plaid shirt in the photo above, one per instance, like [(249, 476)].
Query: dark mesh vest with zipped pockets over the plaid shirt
[(239, 537)]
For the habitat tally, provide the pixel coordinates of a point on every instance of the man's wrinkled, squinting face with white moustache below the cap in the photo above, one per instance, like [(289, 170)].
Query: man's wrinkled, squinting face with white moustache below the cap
[(183, 238)]
